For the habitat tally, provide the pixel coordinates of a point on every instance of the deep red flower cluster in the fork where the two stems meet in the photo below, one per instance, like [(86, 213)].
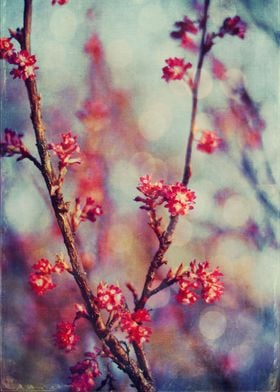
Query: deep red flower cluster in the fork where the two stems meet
[(131, 323)]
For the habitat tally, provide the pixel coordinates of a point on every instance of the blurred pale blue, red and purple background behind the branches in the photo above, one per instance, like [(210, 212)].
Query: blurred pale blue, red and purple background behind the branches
[(100, 78)]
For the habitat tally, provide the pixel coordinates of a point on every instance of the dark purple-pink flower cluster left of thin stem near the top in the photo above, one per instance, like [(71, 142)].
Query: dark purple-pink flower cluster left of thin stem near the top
[(184, 29)]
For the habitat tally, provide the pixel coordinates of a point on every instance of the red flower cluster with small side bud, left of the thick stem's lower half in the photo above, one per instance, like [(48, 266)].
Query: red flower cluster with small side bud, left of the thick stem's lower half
[(41, 280)]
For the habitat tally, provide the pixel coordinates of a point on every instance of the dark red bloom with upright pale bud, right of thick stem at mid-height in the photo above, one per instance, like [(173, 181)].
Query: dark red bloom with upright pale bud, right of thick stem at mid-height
[(90, 212)]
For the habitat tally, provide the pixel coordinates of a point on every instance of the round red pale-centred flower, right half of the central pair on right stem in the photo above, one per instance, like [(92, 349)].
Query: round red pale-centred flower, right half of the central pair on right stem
[(179, 199)]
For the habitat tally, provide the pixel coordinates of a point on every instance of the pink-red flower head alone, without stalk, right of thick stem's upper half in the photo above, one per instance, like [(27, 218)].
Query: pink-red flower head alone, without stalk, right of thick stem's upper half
[(65, 149)]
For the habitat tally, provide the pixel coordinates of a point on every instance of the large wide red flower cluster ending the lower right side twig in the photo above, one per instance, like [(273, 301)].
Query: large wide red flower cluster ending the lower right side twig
[(197, 283)]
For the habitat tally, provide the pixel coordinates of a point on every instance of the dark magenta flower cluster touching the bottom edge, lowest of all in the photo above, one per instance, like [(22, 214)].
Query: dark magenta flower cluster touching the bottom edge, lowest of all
[(84, 373)]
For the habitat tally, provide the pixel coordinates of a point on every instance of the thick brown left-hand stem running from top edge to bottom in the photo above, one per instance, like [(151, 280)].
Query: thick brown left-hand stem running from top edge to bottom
[(118, 354)]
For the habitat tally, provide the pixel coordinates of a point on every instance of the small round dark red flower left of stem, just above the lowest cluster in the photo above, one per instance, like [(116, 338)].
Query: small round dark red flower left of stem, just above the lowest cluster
[(65, 337)]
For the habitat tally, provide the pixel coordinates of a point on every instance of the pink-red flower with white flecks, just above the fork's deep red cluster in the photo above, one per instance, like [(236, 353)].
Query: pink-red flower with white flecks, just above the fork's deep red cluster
[(110, 297)]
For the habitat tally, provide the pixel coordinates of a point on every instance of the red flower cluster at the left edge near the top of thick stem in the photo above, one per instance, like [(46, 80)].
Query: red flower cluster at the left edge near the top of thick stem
[(24, 61)]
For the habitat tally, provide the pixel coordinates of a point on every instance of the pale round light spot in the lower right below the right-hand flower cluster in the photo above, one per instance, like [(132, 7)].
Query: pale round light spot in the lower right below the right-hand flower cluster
[(212, 324)]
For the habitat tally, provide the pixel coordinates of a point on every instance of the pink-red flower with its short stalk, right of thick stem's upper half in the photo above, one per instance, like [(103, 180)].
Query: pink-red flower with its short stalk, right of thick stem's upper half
[(64, 152)]
